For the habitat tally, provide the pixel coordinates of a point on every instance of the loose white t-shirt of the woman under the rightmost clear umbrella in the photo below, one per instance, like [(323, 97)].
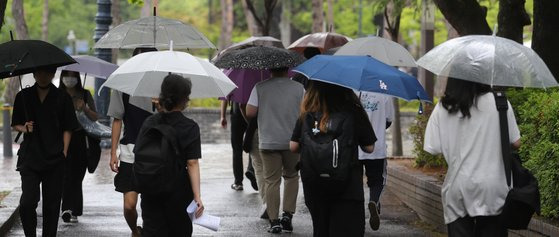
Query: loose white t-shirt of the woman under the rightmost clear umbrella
[(475, 183)]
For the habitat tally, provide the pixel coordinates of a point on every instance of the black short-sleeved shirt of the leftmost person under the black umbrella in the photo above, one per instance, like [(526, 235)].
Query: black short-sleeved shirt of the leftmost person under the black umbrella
[(43, 148)]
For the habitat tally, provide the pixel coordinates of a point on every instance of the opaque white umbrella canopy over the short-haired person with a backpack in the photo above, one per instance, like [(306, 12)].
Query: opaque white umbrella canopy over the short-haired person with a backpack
[(143, 74)]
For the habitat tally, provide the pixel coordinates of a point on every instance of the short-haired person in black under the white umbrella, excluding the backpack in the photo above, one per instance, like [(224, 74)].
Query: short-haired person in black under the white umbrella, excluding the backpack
[(165, 215)]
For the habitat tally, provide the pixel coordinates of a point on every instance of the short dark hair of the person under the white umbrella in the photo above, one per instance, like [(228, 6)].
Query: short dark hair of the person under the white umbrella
[(175, 90)]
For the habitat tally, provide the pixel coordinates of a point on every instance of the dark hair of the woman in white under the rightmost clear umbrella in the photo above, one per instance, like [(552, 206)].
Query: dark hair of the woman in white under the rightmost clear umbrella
[(461, 95)]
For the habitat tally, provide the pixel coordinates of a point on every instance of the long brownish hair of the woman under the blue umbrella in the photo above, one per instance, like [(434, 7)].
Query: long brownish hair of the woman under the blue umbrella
[(329, 98)]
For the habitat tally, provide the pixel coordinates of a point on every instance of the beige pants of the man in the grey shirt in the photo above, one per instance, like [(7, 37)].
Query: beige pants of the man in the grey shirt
[(278, 163)]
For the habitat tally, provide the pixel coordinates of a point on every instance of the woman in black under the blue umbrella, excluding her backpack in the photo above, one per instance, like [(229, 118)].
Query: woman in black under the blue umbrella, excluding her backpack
[(341, 214)]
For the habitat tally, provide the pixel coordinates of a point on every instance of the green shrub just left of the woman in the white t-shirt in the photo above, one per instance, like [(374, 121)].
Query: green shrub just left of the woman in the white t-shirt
[(417, 131)]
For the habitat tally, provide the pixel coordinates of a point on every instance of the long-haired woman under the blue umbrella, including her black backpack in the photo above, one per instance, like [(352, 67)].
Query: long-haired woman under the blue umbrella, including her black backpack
[(331, 127)]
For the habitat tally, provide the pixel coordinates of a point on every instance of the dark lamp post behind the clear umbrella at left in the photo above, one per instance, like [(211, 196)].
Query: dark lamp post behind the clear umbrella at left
[(103, 20)]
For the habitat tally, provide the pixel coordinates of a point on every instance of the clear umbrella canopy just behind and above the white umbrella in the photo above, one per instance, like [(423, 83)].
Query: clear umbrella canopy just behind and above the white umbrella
[(154, 31)]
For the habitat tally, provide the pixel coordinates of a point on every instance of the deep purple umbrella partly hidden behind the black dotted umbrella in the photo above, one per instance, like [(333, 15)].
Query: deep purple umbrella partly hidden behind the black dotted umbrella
[(245, 79)]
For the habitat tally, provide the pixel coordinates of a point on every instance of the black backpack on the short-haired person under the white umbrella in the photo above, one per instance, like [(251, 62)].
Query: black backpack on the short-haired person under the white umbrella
[(157, 154)]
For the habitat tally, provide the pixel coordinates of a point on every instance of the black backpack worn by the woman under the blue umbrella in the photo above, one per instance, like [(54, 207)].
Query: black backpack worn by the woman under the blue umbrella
[(328, 158)]
